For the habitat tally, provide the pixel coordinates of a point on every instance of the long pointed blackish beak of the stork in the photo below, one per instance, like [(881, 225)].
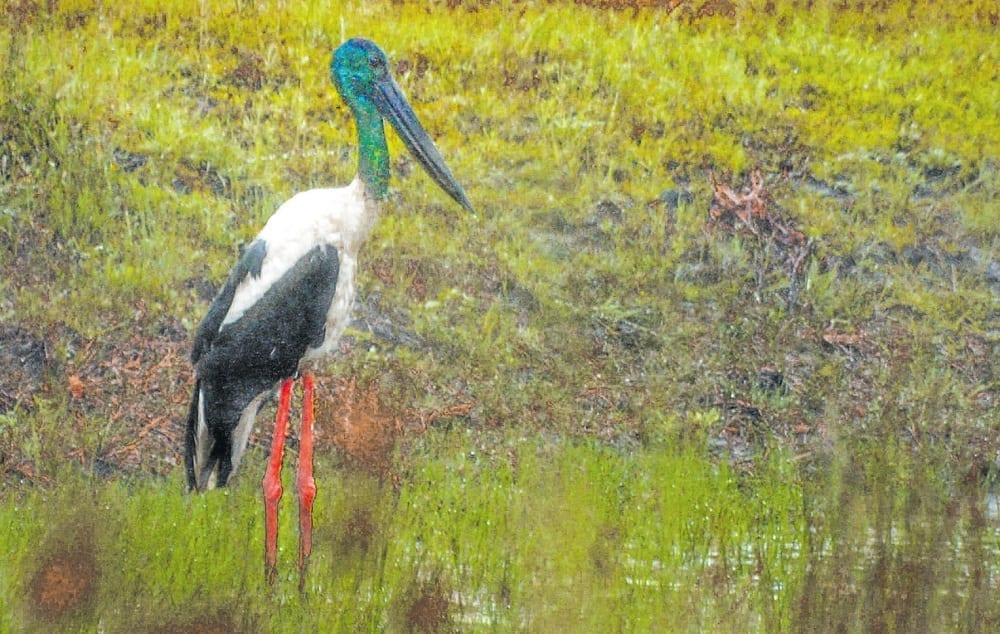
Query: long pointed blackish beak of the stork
[(392, 105)]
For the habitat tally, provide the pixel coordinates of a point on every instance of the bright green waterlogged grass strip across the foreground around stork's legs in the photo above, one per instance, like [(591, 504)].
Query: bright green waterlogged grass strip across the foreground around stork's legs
[(528, 535)]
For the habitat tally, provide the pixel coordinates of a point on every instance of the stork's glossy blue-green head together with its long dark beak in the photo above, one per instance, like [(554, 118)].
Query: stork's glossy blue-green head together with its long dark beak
[(360, 71)]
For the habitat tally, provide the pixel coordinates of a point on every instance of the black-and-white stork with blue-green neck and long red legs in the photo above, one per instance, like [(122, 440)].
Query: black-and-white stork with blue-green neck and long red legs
[(289, 298)]
